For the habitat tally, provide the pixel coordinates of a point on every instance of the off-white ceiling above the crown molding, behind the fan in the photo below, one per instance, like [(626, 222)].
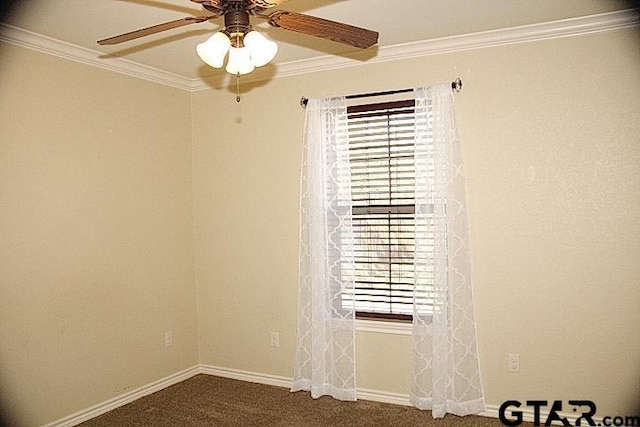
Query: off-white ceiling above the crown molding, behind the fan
[(82, 22)]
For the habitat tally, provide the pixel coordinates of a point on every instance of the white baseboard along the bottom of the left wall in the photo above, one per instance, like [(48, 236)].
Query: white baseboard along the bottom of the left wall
[(94, 411)]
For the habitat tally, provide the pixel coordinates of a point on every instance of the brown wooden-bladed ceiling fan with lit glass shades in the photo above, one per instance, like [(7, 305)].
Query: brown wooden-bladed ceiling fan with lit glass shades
[(246, 47)]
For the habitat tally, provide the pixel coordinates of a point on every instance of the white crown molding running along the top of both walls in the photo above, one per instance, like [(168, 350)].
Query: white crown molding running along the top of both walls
[(590, 24)]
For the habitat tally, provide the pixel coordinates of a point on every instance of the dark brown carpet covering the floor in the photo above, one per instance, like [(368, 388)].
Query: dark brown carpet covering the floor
[(206, 400)]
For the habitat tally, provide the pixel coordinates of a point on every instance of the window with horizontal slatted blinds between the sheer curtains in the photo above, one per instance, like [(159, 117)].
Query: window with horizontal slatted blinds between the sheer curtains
[(381, 157)]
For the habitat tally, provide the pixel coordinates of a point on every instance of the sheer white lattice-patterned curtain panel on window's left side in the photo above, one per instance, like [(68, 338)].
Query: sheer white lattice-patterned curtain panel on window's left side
[(325, 355)]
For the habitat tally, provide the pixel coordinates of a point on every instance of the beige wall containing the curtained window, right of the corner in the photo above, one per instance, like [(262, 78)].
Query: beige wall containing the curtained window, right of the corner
[(550, 137)]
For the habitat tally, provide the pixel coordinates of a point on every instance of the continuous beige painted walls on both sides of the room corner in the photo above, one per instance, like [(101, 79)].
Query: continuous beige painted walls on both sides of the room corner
[(104, 178)]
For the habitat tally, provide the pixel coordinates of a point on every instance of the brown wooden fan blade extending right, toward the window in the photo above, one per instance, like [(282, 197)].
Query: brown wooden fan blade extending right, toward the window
[(324, 28)]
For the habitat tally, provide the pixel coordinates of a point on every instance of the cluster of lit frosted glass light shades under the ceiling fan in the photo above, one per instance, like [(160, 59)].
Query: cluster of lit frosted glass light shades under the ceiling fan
[(246, 51)]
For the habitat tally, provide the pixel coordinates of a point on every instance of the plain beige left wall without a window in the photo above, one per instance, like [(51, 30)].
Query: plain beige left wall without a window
[(96, 241)]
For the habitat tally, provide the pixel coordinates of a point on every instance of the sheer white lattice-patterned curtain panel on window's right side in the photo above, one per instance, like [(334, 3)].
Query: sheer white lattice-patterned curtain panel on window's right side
[(445, 371)]
